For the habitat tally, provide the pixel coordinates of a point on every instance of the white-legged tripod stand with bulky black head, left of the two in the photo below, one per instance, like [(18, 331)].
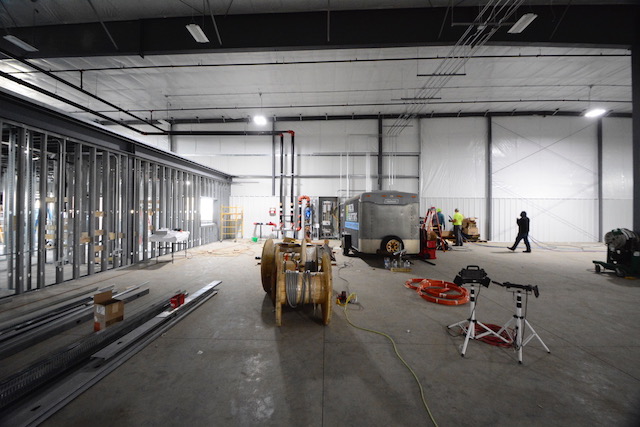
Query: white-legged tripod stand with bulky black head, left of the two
[(472, 275)]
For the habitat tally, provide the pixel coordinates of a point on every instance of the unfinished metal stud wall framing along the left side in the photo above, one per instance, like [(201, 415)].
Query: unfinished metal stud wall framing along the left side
[(71, 208)]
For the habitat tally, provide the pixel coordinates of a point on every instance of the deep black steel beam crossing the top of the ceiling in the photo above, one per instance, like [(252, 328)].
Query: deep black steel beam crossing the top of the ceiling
[(606, 26)]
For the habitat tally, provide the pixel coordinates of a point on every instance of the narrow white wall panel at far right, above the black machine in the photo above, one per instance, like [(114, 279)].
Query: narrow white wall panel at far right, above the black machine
[(617, 174)]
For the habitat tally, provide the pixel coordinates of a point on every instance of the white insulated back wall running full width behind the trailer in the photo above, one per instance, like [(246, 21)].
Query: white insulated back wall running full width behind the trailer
[(544, 165)]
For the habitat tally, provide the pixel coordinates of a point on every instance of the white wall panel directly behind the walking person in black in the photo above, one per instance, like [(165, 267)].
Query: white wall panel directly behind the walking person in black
[(546, 166)]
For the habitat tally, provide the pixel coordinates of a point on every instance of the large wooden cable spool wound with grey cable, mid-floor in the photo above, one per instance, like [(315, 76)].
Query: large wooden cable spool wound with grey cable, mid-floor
[(287, 261)]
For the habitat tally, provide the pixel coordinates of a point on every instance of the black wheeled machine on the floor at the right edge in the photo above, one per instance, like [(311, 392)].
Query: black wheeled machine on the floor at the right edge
[(623, 253)]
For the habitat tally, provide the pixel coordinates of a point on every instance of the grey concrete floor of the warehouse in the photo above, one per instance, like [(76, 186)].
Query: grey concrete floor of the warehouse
[(228, 364)]
